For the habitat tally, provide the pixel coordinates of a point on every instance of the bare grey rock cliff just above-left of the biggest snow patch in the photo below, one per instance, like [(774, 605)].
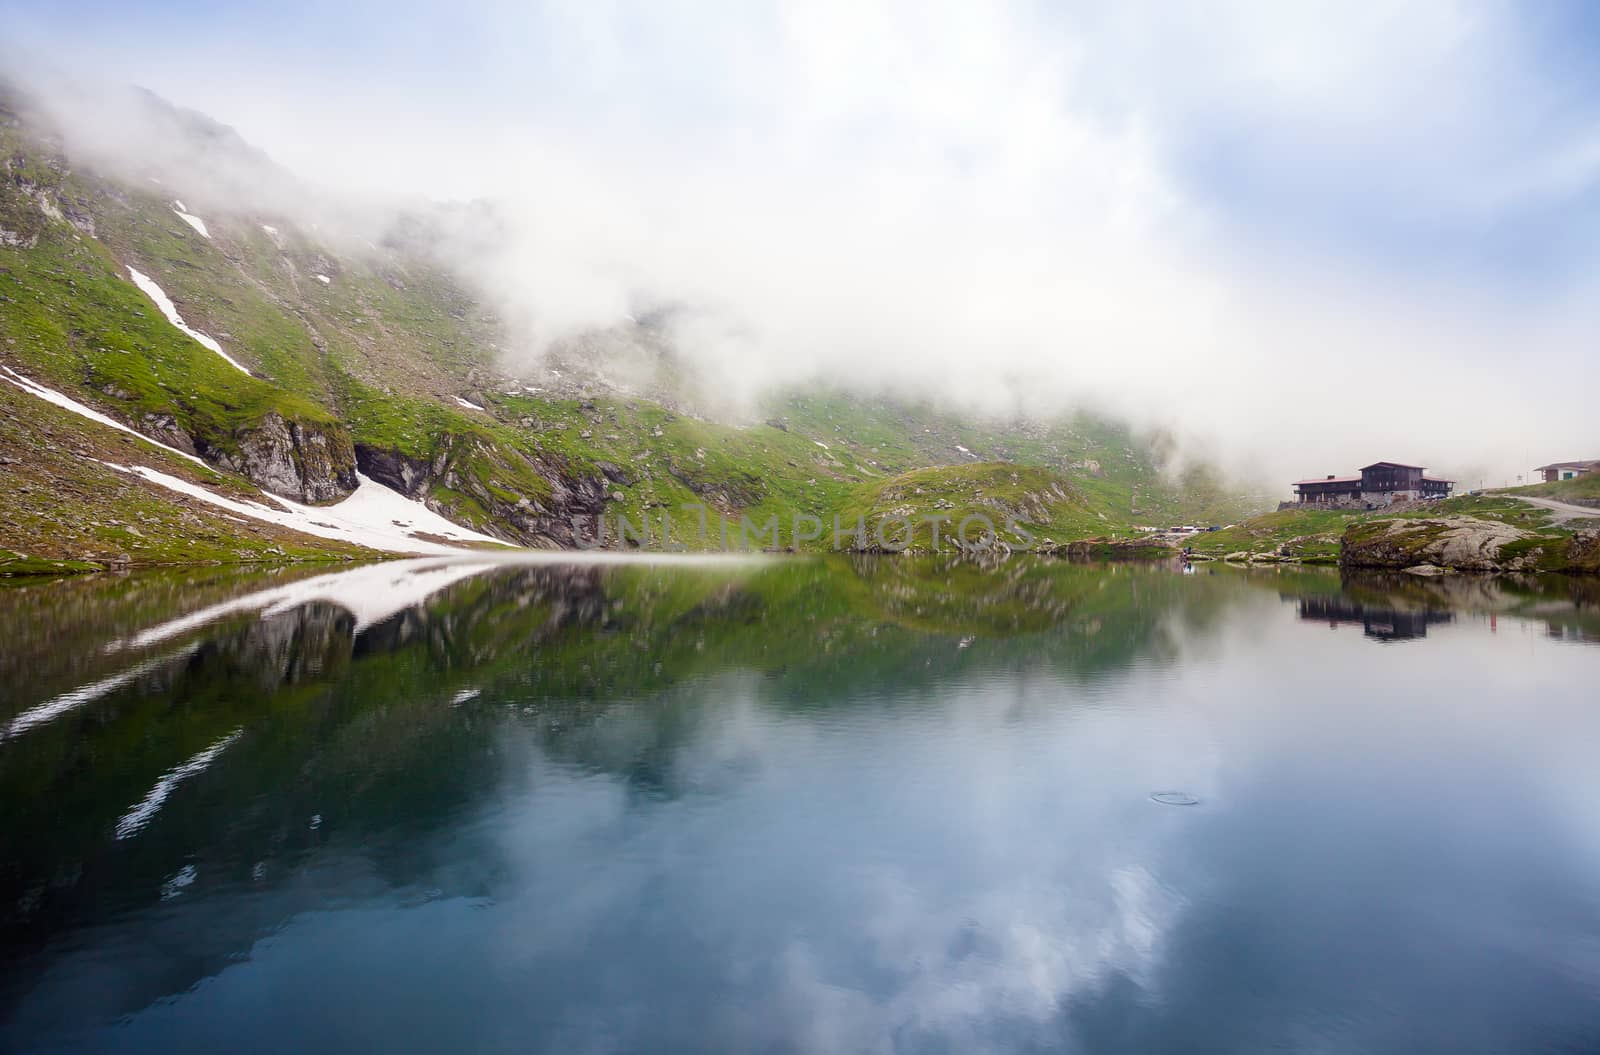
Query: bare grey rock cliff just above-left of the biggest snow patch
[(305, 462)]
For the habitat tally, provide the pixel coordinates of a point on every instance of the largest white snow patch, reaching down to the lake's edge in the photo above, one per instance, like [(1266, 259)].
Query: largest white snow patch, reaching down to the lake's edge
[(374, 516)]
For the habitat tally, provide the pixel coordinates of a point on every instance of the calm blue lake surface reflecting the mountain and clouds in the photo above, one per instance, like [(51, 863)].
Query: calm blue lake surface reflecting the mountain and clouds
[(799, 808)]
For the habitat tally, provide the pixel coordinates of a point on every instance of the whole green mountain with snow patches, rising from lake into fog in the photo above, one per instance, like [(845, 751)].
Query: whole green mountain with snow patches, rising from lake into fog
[(318, 380)]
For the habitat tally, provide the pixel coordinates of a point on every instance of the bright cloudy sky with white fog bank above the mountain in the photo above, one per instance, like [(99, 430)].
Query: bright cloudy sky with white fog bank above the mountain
[(1001, 204)]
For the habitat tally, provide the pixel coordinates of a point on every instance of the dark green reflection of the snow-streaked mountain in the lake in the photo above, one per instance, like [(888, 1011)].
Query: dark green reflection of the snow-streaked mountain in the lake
[(239, 742)]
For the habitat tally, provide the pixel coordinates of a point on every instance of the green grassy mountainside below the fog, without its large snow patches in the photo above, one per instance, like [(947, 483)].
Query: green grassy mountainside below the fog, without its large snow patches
[(372, 358)]
